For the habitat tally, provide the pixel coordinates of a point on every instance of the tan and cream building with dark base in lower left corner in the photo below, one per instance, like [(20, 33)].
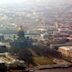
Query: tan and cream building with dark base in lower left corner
[(9, 62)]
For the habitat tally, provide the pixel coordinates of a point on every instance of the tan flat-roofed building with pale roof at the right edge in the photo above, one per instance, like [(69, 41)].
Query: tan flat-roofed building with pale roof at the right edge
[(66, 52)]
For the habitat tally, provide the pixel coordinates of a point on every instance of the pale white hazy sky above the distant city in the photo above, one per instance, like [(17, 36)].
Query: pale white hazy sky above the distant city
[(34, 2)]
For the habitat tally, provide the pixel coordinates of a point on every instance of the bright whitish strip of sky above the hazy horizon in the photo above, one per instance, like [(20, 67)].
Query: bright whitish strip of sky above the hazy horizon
[(33, 1)]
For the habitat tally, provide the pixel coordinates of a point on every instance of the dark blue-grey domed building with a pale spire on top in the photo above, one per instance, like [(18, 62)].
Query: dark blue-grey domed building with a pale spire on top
[(22, 41)]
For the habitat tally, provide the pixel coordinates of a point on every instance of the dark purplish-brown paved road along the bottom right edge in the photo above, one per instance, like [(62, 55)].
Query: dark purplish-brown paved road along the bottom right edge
[(56, 70)]
